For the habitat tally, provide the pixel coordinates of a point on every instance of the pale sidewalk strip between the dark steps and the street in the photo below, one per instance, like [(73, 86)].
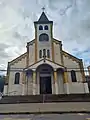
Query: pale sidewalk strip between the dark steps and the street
[(45, 107)]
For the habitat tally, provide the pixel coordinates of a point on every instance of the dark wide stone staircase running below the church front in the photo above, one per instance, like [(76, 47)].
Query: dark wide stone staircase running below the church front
[(48, 98)]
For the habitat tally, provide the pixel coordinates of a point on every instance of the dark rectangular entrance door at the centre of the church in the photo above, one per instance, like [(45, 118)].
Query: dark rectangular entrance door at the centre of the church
[(45, 85)]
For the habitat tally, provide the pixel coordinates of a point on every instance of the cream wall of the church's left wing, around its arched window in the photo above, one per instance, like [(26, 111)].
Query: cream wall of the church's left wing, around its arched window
[(16, 87)]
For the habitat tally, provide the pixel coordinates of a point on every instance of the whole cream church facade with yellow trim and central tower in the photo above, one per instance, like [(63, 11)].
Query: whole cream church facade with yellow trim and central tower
[(45, 68)]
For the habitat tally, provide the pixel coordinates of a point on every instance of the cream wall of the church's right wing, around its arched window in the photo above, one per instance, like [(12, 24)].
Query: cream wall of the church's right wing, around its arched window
[(74, 87)]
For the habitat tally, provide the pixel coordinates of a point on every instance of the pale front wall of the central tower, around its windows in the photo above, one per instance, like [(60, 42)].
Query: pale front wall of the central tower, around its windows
[(44, 44)]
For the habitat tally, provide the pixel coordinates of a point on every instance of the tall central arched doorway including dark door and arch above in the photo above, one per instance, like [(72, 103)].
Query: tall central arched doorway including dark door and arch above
[(45, 78)]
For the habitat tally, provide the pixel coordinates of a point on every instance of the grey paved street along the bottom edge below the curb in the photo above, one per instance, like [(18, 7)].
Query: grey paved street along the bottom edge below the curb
[(46, 117)]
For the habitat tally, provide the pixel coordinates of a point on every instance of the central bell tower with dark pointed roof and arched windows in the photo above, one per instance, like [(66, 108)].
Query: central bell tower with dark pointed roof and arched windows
[(43, 37)]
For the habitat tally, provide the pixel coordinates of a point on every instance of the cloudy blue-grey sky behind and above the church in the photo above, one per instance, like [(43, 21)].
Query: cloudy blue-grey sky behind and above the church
[(71, 26)]
